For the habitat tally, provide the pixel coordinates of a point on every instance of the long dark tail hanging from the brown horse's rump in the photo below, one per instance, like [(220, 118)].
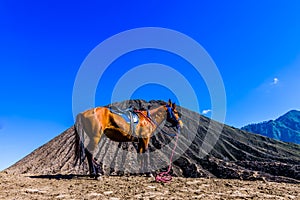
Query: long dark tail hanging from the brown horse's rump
[(79, 145)]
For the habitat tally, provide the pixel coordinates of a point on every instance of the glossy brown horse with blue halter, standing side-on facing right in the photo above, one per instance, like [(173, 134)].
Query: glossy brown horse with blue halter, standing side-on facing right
[(95, 122)]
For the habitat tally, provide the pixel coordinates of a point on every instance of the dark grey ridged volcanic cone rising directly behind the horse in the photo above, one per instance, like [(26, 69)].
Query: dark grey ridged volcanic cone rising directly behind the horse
[(236, 154)]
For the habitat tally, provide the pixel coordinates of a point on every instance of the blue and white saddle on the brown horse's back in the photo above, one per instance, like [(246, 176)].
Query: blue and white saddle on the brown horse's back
[(128, 115)]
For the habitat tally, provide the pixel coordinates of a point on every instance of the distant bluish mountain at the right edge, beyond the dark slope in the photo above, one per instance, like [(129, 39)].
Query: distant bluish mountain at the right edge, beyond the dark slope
[(286, 128)]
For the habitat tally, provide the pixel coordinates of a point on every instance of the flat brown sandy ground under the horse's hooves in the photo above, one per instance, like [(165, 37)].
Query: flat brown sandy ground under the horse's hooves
[(69, 187)]
